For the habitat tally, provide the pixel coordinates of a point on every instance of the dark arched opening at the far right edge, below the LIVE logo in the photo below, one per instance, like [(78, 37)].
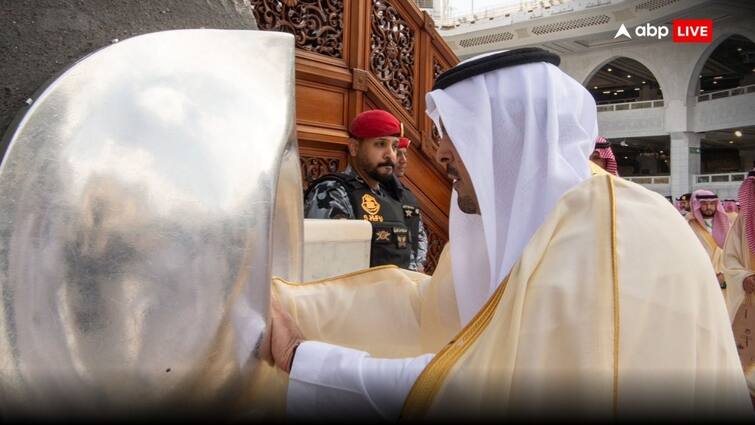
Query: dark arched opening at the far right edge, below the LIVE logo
[(730, 65)]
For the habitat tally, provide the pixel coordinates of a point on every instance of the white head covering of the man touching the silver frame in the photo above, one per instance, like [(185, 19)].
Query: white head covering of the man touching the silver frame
[(525, 134)]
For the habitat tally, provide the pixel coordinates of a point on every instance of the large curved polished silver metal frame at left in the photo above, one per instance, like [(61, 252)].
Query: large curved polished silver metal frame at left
[(148, 195)]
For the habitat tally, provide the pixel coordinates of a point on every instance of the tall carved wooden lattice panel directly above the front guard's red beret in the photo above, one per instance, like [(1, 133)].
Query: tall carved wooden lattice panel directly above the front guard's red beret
[(392, 52)]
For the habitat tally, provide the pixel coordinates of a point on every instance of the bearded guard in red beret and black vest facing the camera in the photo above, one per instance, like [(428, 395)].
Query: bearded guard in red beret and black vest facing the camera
[(366, 190)]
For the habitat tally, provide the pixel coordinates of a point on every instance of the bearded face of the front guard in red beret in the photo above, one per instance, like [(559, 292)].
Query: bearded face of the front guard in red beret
[(376, 157)]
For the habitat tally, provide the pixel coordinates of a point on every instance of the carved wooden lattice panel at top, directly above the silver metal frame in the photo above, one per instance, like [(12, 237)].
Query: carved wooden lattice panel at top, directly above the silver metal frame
[(317, 25)]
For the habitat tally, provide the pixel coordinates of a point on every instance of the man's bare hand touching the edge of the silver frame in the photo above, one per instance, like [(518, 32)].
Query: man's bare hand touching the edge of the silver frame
[(281, 339)]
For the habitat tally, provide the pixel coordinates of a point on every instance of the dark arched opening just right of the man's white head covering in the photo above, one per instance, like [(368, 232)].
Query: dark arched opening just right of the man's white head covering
[(623, 80)]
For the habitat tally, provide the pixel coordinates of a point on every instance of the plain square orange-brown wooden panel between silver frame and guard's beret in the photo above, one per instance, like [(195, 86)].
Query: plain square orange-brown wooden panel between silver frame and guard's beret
[(321, 105)]
